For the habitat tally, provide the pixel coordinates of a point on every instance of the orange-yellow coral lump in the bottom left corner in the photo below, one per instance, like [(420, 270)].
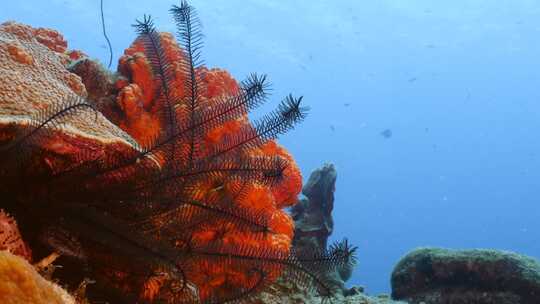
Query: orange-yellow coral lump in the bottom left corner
[(21, 284)]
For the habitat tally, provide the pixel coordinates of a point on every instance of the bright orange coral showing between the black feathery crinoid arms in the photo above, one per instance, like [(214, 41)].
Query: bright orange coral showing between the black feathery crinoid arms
[(137, 99)]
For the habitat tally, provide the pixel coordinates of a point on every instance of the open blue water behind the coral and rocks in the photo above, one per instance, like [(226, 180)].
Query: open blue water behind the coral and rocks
[(457, 83)]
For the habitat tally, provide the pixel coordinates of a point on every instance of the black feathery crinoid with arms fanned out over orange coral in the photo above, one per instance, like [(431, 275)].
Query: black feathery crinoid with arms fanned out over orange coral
[(175, 218)]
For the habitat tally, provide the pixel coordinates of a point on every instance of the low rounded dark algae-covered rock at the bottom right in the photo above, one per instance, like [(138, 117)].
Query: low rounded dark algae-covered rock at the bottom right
[(440, 276)]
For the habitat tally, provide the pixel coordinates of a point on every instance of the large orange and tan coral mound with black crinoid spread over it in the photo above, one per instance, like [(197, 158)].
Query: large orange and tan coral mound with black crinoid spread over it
[(154, 184)]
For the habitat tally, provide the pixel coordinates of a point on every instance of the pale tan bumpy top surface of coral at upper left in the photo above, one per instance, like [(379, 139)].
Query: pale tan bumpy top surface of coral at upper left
[(33, 76)]
